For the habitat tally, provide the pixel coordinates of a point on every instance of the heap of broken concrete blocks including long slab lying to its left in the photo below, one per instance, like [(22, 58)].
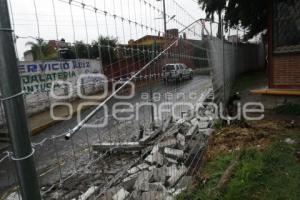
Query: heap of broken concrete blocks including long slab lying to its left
[(167, 158)]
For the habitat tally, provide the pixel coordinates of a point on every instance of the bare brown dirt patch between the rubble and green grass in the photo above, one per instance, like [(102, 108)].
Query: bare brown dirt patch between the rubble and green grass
[(251, 135)]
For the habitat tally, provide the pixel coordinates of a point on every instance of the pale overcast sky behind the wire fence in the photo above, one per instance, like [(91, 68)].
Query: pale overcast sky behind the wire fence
[(26, 24)]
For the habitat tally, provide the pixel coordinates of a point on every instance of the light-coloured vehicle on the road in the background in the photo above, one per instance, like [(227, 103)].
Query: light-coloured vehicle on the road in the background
[(177, 72)]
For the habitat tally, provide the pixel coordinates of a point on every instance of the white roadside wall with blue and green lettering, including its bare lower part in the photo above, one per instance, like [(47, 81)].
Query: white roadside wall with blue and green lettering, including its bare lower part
[(37, 78)]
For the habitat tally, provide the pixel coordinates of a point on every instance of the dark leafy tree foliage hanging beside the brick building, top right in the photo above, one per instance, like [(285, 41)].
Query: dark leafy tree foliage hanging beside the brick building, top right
[(250, 15)]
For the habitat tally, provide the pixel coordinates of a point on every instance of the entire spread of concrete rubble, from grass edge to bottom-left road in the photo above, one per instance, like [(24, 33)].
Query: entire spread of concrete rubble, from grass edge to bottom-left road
[(158, 166)]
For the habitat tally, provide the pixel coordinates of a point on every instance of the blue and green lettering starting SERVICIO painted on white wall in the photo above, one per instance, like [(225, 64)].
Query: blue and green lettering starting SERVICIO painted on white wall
[(39, 76)]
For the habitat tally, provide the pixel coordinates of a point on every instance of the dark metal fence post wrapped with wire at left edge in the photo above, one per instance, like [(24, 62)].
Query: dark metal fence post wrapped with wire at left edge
[(14, 108)]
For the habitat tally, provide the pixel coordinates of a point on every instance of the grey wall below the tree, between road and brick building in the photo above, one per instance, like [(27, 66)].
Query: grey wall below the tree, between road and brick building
[(229, 60)]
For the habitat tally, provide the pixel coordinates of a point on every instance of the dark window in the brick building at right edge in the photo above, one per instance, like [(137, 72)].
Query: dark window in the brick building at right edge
[(286, 26)]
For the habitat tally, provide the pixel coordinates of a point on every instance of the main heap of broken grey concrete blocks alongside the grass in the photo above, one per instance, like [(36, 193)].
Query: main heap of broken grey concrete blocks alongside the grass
[(164, 172)]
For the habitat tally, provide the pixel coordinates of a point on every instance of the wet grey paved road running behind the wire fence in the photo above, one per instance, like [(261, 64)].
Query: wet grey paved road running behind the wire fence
[(76, 153)]
